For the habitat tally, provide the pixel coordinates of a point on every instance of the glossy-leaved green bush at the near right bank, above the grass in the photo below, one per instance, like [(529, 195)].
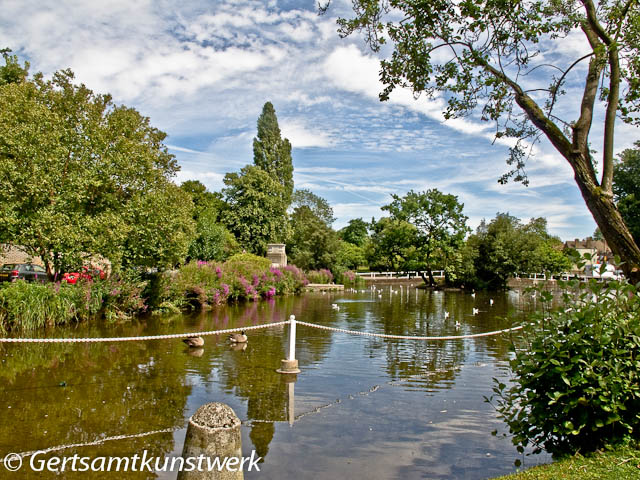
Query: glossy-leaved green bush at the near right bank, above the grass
[(577, 385)]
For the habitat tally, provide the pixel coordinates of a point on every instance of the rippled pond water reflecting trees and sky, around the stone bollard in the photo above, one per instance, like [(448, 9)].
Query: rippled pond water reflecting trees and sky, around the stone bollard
[(362, 407)]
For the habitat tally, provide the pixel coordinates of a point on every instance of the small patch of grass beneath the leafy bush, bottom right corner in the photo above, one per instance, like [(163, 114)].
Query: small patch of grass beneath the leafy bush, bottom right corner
[(619, 464)]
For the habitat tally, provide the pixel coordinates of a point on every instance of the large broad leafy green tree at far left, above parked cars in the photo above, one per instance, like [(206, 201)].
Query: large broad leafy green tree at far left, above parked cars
[(79, 176)]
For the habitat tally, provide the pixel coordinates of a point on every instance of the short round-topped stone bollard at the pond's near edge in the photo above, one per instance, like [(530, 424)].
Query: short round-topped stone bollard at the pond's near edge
[(213, 431)]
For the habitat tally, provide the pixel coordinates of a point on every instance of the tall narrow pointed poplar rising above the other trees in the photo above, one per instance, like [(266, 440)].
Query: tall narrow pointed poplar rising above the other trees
[(272, 153)]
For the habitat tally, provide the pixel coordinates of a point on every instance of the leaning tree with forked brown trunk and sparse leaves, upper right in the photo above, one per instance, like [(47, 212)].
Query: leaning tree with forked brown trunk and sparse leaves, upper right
[(492, 56)]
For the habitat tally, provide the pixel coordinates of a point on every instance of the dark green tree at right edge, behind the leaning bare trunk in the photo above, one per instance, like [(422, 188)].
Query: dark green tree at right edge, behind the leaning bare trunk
[(626, 188)]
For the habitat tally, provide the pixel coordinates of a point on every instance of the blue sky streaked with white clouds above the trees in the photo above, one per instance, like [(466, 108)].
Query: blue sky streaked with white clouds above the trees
[(202, 70)]
